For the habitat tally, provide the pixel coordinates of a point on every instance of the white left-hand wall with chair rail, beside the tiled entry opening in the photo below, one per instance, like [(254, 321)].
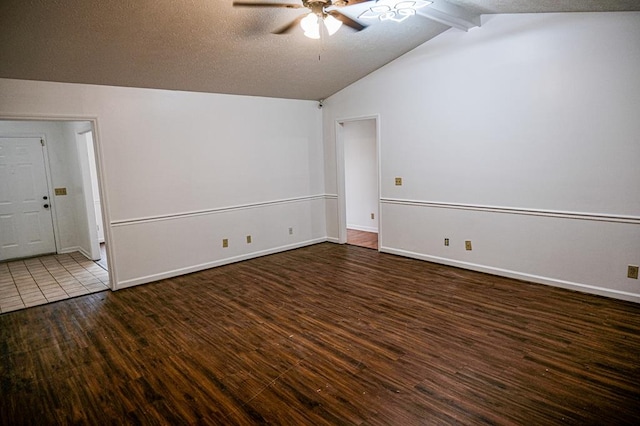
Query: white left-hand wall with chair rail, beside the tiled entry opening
[(181, 171)]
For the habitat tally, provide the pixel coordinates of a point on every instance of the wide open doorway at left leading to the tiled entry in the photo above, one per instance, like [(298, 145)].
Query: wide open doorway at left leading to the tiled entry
[(66, 194)]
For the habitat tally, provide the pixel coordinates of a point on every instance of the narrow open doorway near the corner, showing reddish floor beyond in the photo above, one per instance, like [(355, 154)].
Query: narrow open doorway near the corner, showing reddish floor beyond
[(361, 182)]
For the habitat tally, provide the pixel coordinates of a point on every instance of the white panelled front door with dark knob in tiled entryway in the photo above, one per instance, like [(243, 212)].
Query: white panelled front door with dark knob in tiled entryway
[(26, 227)]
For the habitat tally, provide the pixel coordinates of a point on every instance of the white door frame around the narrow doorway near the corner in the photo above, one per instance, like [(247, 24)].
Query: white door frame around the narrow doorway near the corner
[(340, 178)]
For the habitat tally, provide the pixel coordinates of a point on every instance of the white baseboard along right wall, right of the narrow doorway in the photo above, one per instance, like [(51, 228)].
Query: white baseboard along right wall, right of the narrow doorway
[(584, 288)]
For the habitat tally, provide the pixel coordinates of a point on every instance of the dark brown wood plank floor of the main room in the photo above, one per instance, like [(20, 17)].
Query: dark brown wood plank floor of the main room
[(327, 334)]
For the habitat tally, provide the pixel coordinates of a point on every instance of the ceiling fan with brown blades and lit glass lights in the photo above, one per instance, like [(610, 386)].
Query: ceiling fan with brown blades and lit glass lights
[(325, 11)]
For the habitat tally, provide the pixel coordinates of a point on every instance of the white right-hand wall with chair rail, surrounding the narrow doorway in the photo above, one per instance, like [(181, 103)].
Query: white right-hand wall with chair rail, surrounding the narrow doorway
[(521, 136)]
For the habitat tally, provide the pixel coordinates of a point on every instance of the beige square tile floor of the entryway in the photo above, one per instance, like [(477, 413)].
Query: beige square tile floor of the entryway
[(39, 280)]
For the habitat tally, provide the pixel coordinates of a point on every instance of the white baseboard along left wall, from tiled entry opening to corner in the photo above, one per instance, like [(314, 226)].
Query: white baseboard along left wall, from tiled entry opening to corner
[(195, 268)]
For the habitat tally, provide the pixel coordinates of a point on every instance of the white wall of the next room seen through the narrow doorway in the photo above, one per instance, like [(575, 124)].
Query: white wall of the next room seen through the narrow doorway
[(361, 175)]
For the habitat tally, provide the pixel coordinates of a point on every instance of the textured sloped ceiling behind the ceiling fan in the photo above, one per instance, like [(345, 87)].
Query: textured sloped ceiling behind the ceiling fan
[(210, 46)]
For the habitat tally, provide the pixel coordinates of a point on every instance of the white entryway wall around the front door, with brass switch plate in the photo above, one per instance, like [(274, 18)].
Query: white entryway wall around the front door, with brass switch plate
[(64, 169)]
